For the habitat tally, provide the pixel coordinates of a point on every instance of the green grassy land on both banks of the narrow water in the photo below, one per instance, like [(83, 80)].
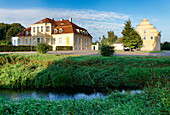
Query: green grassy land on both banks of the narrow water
[(151, 74)]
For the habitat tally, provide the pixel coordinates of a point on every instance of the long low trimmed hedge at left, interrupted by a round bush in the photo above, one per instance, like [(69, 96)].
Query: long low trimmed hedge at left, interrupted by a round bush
[(7, 48)]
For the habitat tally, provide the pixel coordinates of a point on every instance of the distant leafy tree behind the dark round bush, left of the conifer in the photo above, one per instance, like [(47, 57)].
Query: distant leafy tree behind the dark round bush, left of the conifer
[(110, 40)]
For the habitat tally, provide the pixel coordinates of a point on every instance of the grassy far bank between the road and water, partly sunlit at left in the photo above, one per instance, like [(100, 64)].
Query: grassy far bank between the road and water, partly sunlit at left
[(43, 71)]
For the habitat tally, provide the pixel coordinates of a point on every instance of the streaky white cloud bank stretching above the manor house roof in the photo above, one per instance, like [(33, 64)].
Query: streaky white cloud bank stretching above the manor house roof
[(96, 22)]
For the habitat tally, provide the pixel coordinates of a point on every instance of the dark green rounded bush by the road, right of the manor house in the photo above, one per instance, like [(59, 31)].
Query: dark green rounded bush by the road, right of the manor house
[(107, 50)]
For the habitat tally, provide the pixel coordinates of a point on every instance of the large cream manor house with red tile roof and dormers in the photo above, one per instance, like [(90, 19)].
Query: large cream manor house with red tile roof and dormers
[(63, 33)]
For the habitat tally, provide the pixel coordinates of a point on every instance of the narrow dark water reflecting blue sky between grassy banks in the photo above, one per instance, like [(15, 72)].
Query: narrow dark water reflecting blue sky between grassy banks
[(58, 94)]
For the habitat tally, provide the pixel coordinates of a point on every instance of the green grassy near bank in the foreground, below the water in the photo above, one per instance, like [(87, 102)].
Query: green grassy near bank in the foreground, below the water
[(153, 101)]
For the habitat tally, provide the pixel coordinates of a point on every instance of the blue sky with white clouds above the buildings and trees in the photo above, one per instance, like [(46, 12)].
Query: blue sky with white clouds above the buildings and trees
[(97, 16)]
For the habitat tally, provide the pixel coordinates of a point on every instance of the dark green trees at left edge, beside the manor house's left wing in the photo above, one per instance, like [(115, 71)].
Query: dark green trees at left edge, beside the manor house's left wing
[(9, 30)]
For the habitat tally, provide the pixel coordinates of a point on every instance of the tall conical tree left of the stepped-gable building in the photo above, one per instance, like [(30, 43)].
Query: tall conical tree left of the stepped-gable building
[(131, 38)]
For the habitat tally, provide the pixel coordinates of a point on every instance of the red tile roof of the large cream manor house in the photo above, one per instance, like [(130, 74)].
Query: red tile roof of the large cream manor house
[(66, 25)]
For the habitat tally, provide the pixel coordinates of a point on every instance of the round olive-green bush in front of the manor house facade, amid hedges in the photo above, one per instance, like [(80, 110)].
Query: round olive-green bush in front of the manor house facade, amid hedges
[(42, 48)]
